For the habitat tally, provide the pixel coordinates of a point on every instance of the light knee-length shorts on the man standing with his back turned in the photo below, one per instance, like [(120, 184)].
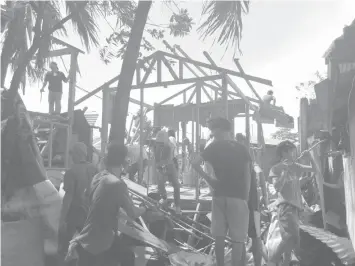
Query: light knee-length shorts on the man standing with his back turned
[(230, 215)]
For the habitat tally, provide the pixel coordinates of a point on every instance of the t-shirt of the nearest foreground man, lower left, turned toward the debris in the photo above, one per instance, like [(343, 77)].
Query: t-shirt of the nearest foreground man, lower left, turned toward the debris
[(108, 195)]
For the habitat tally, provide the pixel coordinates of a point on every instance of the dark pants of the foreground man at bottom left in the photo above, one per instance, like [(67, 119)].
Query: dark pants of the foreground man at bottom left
[(120, 252)]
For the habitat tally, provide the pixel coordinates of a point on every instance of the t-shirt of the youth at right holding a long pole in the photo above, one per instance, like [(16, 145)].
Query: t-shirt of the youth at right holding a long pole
[(290, 192)]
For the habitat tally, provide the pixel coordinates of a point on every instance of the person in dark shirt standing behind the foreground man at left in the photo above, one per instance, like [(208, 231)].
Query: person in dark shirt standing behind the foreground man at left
[(76, 184)]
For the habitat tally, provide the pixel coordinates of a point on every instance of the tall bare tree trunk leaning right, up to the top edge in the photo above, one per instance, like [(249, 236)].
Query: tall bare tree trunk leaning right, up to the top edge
[(120, 108)]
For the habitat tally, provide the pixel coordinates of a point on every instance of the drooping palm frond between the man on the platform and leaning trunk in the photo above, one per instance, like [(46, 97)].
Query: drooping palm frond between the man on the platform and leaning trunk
[(84, 22)]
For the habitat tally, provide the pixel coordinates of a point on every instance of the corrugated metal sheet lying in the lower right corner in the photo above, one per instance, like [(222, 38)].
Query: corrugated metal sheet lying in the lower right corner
[(340, 245)]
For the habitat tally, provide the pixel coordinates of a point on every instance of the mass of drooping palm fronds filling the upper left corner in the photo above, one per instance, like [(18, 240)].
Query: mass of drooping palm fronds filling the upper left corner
[(27, 40)]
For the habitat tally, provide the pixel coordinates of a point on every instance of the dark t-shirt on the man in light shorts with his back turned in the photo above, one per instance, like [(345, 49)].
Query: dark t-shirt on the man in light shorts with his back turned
[(228, 159)]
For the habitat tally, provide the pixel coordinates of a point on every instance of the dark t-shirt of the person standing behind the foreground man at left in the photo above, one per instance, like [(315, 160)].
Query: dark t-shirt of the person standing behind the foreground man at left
[(77, 182)]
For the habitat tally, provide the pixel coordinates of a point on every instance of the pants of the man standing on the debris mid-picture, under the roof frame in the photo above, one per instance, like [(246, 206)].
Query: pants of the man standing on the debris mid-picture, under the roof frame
[(171, 173)]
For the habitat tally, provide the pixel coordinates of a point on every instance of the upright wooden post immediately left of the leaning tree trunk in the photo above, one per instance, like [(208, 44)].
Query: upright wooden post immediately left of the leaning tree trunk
[(106, 113)]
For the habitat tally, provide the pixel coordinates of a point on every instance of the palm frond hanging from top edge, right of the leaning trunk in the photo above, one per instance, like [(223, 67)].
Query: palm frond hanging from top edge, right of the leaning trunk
[(225, 19)]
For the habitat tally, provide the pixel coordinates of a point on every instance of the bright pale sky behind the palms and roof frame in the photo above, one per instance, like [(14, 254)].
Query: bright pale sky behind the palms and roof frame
[(283, 41)]
